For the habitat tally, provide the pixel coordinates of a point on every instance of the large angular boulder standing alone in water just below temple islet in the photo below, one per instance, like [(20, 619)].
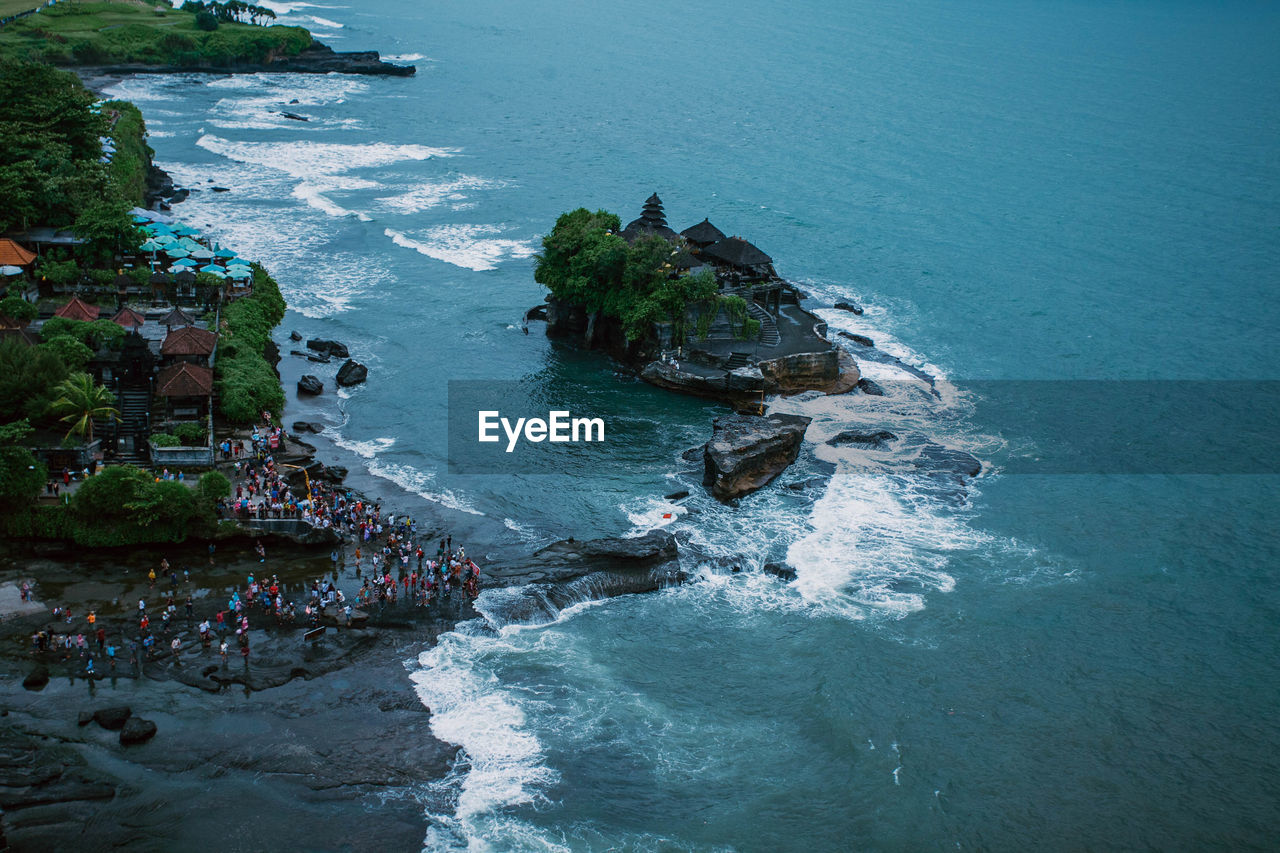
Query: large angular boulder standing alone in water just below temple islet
[(748, 451)]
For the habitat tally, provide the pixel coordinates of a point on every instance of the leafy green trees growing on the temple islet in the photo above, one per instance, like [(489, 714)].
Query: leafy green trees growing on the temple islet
[(584, 262)]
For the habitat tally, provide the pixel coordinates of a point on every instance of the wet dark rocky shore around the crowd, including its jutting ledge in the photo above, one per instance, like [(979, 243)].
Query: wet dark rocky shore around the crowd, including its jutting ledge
[(310, 746)]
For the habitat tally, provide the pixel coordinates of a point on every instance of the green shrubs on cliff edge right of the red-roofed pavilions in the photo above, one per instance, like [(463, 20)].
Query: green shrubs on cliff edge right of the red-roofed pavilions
[(248, 385)]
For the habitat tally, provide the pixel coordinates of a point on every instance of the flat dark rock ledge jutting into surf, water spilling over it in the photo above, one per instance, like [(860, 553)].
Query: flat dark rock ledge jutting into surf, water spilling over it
[(570, 572)]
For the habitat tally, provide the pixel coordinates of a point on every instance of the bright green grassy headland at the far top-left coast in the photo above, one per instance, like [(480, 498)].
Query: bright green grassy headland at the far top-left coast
[(98, 34)]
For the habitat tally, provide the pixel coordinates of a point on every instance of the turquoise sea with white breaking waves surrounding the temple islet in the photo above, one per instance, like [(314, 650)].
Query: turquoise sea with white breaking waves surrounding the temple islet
[(1014, 191)]
